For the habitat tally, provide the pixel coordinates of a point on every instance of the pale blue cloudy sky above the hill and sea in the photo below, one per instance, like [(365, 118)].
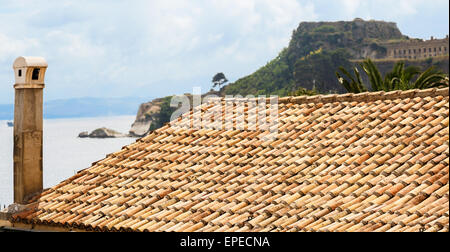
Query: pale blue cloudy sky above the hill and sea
[(154, 48)]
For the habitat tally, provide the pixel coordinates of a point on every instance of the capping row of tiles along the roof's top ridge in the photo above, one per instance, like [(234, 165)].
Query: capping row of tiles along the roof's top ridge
[(350, 97)]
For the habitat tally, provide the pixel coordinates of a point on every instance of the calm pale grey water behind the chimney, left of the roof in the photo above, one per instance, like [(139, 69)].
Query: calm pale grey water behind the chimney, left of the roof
[(64, 152)]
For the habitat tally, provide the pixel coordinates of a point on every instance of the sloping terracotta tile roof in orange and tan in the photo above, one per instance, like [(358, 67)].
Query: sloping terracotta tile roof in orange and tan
[(367, 162)]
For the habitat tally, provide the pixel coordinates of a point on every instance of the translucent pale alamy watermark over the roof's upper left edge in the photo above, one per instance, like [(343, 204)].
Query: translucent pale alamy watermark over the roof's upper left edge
[(236, 112)]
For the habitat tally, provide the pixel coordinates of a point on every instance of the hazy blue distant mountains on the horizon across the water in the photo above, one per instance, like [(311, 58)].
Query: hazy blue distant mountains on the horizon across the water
[(83, 107)]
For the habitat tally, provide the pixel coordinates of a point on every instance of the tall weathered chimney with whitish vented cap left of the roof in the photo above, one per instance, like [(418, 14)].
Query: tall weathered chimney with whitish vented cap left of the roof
[(29, 74)]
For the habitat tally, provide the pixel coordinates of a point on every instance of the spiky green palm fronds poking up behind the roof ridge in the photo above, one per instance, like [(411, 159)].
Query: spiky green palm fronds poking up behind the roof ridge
[(400, 78)]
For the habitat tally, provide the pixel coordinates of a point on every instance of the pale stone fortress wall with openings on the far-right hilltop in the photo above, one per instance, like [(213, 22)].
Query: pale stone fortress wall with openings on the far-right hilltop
[(418, 49)]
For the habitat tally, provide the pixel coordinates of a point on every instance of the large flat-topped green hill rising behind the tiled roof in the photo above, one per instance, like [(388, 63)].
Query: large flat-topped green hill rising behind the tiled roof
[(314, 53)]
